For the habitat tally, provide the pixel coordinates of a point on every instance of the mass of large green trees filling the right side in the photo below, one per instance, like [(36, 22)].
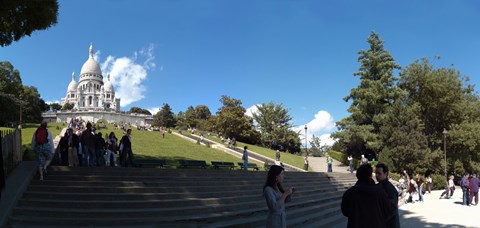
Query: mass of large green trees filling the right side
[(406, 119)]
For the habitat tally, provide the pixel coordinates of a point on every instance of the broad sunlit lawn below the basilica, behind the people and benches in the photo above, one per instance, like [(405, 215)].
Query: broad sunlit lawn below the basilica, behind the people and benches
[(145, 145)]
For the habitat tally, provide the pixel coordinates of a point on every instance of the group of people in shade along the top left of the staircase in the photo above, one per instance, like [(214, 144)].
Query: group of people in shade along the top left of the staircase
[(82, 148)]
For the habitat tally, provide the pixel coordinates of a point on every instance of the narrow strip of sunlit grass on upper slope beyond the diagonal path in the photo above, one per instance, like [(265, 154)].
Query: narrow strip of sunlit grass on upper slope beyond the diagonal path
[(294, 160)]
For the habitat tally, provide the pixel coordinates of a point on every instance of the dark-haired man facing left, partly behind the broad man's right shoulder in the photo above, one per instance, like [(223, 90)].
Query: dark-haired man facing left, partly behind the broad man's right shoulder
[(381, 174)]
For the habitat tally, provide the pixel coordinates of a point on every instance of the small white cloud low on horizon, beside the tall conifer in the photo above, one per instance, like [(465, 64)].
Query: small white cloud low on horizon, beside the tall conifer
[(322, 122)]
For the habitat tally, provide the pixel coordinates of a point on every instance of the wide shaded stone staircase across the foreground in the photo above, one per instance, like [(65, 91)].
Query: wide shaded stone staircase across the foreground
[(148, 197)]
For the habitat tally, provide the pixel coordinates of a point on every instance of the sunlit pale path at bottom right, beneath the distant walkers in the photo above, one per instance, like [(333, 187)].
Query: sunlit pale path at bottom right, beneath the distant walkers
[(435, 212)]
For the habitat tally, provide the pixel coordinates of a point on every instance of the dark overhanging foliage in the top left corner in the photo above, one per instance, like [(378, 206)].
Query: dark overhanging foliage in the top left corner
[(19, 18)]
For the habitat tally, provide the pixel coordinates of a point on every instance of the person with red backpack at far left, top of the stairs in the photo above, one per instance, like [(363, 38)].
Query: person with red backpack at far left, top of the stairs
[(42, 144)]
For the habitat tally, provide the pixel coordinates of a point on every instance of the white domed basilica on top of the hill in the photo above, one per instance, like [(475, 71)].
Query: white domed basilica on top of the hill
[(91, 93)]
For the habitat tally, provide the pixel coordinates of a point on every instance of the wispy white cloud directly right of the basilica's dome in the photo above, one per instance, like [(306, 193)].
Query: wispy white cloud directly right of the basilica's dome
[(128, 74)]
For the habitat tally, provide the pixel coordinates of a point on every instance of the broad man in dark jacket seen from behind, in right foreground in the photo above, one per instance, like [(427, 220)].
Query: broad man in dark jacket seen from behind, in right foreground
[(366, 204)]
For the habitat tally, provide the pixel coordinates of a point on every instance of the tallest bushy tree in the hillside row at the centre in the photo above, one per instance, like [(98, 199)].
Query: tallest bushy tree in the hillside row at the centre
[(232, 121)]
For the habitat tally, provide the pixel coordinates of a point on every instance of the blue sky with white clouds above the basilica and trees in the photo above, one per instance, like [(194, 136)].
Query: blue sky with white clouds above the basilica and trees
[(298, 53)]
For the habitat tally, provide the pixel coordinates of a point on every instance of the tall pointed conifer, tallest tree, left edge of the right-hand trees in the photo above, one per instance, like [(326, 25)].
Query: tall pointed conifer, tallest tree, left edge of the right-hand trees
[(376, 91)]
